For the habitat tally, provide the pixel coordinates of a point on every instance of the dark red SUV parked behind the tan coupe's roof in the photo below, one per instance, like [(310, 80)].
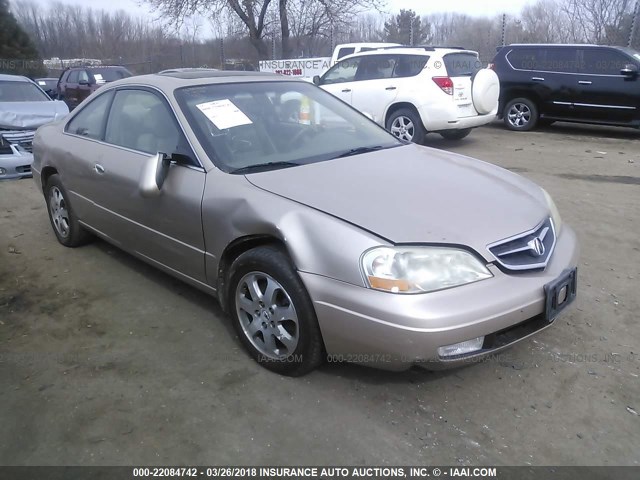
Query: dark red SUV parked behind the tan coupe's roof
[(77, 83)]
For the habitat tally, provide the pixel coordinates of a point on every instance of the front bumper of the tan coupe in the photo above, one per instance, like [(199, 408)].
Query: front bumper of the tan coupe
[(395, 332)]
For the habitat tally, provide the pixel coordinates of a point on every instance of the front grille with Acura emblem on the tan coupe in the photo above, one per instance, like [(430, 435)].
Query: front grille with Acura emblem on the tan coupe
[(526, 251)]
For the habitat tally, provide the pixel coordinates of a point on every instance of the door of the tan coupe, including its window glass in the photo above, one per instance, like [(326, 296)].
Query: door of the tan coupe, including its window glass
[(166, 229)]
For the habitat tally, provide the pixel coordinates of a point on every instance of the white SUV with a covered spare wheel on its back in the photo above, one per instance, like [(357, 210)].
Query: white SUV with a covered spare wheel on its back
[(412, 91)]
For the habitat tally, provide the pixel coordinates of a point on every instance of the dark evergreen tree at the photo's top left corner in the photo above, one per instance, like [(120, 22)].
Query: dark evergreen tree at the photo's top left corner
[(18, 55)]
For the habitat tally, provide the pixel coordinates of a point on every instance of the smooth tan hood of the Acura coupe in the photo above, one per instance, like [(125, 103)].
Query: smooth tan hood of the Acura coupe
[(414, 194)]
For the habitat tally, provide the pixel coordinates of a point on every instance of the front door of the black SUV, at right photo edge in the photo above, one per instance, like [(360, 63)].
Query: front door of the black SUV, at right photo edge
[(604, 93)]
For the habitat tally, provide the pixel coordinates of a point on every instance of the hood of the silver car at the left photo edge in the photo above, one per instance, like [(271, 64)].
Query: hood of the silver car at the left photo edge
[(30, 115)]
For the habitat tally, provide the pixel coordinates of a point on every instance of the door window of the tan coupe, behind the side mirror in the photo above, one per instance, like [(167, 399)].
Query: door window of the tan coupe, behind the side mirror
[(141, 120)]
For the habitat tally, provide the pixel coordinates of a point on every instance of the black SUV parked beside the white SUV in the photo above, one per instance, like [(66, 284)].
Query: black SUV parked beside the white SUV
[(540, 84)]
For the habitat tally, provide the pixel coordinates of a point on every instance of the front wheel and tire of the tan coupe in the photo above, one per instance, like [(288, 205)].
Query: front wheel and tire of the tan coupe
[(271, 261)]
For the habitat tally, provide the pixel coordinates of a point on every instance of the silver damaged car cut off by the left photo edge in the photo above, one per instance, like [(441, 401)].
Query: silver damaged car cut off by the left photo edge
[(23, 108)]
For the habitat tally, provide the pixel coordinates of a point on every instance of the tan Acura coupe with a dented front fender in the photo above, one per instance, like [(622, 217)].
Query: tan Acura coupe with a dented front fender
[(316, 237)]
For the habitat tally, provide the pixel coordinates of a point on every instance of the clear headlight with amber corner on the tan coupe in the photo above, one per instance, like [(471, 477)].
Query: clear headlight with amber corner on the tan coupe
[(420, 269)]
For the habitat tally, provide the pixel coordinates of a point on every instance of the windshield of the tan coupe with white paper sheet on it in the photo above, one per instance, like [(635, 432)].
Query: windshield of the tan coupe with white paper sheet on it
[(257, 126)]
